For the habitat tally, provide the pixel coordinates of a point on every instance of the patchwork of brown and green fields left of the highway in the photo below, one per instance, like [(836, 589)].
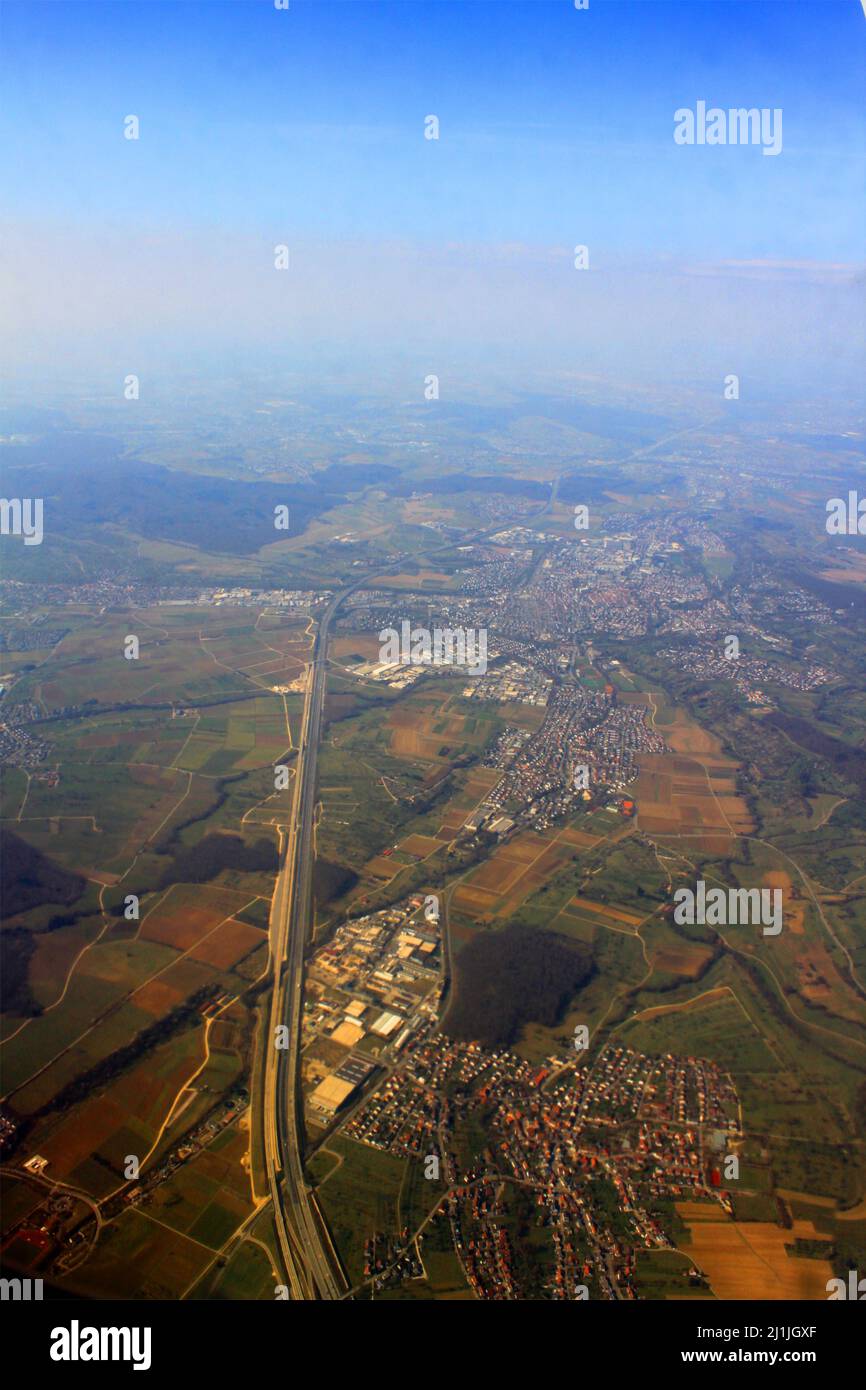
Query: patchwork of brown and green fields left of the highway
[(124, 1035)]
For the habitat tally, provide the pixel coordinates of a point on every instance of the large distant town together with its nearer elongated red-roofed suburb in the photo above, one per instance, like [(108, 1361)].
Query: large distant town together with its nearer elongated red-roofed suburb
[(539, 594)]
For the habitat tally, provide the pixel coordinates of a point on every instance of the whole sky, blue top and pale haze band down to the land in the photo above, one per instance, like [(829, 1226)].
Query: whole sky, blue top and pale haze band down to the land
[(307, 129)]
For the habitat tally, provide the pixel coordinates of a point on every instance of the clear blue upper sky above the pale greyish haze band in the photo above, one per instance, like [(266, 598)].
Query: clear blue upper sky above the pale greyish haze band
[(557, 127)]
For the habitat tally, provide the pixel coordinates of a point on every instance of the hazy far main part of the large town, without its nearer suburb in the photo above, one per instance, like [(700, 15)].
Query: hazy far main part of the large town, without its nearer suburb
[(536, 591)]
